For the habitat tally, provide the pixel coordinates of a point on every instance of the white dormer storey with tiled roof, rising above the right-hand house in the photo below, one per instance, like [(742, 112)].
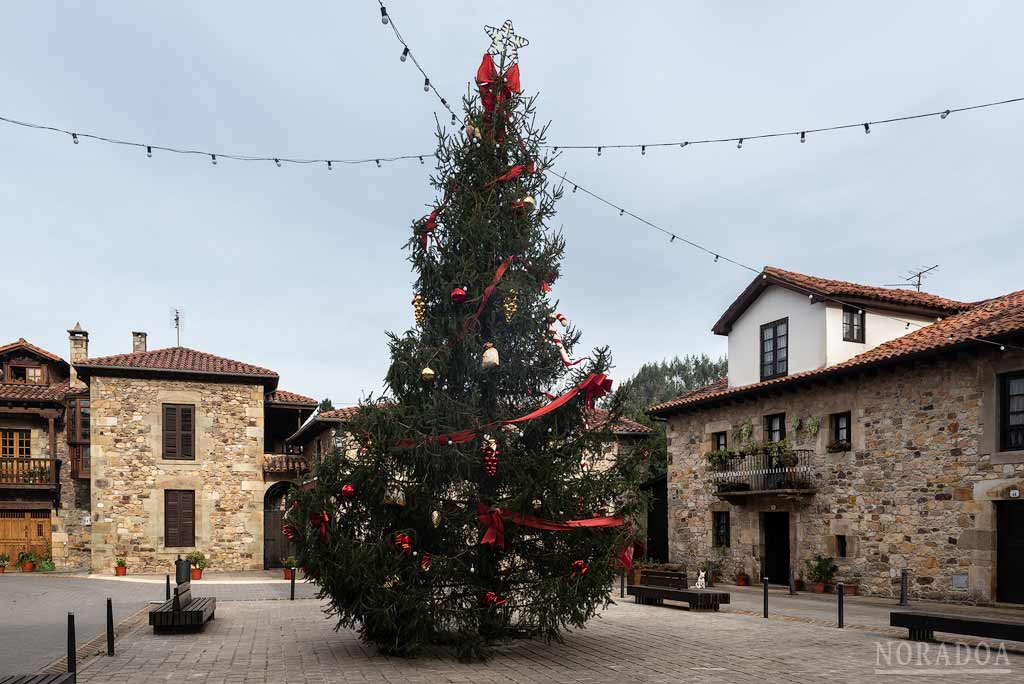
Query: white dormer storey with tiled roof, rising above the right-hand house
[(785, 323)]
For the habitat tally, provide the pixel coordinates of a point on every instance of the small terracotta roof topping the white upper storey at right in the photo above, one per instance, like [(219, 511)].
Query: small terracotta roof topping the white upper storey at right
[(911, 301)]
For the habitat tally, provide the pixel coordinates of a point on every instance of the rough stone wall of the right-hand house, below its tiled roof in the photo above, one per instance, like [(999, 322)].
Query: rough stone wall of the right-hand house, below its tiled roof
[(917, 490)]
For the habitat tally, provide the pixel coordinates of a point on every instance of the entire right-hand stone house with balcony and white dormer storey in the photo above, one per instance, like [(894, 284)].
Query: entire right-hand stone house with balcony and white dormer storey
[(884, 429)]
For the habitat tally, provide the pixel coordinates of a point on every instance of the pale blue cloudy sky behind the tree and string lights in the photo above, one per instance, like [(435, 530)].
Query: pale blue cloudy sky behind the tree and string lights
[(303, 271)]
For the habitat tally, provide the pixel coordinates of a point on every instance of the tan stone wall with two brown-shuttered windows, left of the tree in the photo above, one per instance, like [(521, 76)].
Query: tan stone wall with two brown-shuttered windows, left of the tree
[(130, 476)]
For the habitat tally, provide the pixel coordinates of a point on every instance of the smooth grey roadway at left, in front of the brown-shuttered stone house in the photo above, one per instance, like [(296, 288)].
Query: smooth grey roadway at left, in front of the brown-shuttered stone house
[(34, 611)]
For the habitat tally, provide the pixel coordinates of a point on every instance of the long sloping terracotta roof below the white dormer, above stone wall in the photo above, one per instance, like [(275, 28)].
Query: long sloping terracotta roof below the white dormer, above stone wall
[(992, 319)]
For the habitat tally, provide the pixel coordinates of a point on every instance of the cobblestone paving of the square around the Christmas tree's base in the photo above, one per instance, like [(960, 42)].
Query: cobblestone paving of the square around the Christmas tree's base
[(283, 642)]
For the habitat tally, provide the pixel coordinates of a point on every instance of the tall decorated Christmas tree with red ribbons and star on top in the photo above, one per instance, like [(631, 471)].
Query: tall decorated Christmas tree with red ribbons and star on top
[(464, 512)]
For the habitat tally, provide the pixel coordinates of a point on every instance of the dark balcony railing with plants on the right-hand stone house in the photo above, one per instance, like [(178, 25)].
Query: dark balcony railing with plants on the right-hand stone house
[(764, 473)]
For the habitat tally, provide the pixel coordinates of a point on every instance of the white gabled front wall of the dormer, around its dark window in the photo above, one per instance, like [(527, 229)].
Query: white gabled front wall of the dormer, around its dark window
[(807, 334)]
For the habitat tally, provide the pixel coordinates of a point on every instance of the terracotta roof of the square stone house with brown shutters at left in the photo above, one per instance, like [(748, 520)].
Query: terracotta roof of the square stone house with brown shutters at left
[(176, 360)]
